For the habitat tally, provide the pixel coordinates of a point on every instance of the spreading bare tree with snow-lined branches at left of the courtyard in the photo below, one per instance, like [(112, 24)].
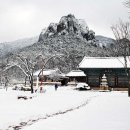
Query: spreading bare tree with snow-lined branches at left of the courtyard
[(28, 65)]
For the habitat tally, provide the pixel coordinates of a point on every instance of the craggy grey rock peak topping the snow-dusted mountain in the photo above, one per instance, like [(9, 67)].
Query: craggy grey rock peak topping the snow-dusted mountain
[(68, 25)]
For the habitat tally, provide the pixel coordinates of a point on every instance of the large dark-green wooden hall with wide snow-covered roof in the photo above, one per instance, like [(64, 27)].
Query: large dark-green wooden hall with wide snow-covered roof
[(113, 67)]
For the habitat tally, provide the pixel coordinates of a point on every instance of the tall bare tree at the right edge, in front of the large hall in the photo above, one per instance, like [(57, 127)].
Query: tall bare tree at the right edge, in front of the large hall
[(121, 32)]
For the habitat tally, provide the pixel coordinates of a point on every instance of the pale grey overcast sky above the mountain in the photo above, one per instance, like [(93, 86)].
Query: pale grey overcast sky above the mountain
[(26, 18)]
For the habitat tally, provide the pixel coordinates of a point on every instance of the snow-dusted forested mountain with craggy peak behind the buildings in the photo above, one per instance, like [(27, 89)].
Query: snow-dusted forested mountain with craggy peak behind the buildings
[(70, 38)]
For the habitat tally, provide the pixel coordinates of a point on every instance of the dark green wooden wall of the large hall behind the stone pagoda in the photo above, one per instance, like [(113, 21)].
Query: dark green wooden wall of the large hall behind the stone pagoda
[(116, 78)]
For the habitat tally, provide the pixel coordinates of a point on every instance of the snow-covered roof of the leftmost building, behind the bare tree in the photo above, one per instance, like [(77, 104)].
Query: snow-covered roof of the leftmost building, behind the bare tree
[(47, 72)]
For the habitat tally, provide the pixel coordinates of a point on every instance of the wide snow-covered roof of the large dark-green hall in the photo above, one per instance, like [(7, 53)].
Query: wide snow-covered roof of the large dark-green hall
[(104, 62)]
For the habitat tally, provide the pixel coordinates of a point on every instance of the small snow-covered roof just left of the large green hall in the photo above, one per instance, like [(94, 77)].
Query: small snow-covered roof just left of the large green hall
[(75, 73)]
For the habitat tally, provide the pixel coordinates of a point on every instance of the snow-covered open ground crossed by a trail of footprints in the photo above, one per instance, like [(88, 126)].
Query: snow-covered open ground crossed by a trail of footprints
[(65, 109)]
